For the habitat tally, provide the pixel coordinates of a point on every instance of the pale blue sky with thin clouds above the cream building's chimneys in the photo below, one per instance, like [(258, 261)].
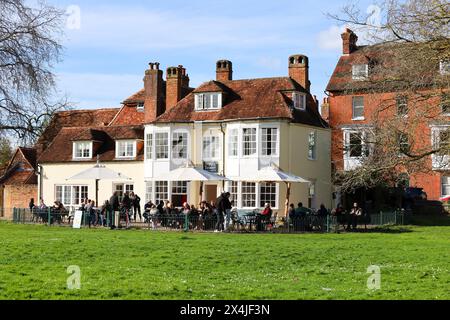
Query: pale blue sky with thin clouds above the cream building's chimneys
[(105, 58)]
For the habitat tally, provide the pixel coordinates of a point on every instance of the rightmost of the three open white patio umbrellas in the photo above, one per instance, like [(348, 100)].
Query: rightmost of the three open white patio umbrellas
[(273, 173)]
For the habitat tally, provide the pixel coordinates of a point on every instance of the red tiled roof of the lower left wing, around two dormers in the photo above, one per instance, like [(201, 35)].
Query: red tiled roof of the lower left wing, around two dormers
[(60, 150)]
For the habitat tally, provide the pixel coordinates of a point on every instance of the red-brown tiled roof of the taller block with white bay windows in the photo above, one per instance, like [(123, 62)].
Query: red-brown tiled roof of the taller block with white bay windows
[(263, 98)]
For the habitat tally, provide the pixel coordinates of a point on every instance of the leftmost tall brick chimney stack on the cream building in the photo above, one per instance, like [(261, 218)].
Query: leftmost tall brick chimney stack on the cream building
[(153, 85)]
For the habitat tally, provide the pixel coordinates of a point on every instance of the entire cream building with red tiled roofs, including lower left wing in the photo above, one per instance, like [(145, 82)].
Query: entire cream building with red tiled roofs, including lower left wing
[(232, 127)]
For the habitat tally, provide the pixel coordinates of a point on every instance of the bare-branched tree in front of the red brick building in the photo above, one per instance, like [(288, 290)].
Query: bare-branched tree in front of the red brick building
[(409, 55)]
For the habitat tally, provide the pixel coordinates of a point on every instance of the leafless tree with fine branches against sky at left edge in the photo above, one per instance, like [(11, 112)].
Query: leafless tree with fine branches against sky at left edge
[(29, 46)]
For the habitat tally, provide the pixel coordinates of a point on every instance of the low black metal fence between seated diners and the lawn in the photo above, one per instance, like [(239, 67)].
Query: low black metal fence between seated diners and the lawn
[(233, 222)]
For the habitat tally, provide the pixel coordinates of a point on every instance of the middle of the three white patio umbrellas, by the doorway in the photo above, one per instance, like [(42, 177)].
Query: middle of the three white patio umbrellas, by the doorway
[(191, 173)]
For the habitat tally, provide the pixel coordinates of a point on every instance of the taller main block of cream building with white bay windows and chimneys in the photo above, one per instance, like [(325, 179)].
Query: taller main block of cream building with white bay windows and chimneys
[(234, 128)]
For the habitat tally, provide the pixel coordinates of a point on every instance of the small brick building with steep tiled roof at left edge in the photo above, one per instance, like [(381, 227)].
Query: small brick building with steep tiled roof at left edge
[(18, 182)]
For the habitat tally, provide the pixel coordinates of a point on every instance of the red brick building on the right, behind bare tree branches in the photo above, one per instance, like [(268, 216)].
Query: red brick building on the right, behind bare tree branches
[(353, 103)]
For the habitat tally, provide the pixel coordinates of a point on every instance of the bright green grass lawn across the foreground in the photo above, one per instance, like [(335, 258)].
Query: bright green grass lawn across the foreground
[(135, 264)]
